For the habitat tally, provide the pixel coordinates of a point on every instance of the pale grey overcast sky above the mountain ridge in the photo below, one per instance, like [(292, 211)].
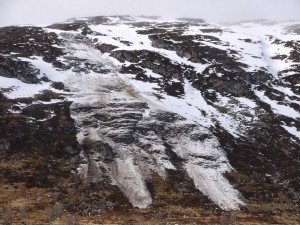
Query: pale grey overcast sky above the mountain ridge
[(49, 11)]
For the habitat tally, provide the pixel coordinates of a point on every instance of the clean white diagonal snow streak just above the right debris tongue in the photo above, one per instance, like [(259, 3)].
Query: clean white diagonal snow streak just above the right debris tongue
[(194, 108)]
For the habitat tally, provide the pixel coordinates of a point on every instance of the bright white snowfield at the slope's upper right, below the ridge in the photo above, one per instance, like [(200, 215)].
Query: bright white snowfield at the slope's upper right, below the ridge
[(265, 35)]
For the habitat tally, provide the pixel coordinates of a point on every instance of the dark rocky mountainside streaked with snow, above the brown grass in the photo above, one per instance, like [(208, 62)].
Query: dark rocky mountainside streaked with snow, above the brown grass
[(134, 102)]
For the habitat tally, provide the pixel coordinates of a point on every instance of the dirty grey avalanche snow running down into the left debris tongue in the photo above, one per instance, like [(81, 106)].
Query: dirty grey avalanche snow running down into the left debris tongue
[(95, 90)]
